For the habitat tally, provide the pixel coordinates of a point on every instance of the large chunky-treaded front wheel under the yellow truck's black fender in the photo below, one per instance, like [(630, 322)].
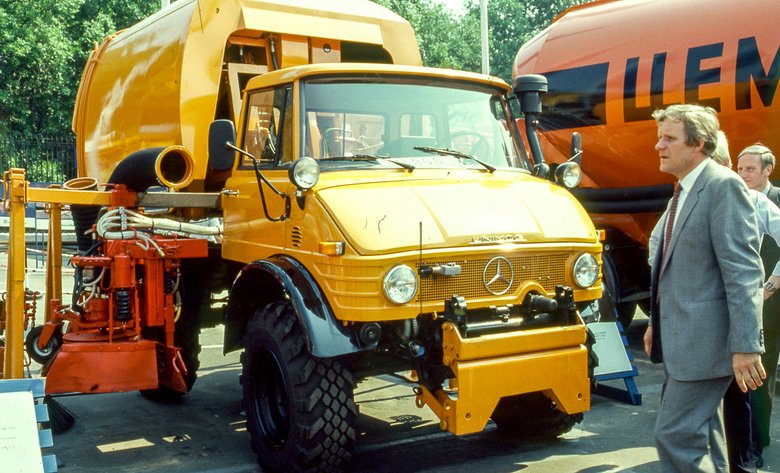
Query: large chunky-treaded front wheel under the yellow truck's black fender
[(300, 409)]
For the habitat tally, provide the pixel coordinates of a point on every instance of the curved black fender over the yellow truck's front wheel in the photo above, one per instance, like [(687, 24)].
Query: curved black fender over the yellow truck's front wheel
[(281, 277)]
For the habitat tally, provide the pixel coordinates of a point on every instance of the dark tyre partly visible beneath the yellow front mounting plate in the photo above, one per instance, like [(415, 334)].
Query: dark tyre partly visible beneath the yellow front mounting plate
[(532, 416)]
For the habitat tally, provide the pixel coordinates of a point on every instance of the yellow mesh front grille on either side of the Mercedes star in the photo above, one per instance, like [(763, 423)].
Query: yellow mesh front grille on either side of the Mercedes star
[(549, 270)]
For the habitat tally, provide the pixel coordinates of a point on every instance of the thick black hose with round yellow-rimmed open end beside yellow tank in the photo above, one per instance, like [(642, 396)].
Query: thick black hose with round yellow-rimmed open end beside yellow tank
[(171, 167)]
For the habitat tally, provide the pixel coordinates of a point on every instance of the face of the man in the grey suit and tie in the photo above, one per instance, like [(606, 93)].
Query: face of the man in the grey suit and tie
[(677, 157)]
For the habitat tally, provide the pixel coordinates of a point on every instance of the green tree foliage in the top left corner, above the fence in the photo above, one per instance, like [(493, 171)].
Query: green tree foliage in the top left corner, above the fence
[(44, 45)]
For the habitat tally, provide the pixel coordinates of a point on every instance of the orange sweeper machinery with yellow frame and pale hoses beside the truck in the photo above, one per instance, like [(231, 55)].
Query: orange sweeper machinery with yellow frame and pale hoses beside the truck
[(119, 331)]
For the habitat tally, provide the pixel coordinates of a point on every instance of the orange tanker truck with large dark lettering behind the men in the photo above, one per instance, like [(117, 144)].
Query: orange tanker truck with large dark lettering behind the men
[(609, 65)]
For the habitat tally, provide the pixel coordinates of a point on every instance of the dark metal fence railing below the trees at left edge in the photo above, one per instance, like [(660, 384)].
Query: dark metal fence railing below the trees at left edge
[(45, 158)]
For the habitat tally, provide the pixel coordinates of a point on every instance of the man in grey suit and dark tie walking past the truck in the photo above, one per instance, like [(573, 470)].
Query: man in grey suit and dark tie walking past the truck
[(706, 290)]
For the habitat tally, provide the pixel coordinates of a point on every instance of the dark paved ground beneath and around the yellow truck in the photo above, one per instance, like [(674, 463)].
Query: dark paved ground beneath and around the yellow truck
[(205, 432)]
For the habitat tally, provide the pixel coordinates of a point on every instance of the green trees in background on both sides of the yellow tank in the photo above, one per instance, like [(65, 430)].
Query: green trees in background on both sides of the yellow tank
[(44, 45)]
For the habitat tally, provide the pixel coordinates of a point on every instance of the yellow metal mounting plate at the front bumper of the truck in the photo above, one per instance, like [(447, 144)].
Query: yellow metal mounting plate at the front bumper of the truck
[(487, 368)]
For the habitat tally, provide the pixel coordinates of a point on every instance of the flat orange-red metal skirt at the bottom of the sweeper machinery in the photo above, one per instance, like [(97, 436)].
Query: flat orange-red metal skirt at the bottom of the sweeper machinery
[(102, 367)]
